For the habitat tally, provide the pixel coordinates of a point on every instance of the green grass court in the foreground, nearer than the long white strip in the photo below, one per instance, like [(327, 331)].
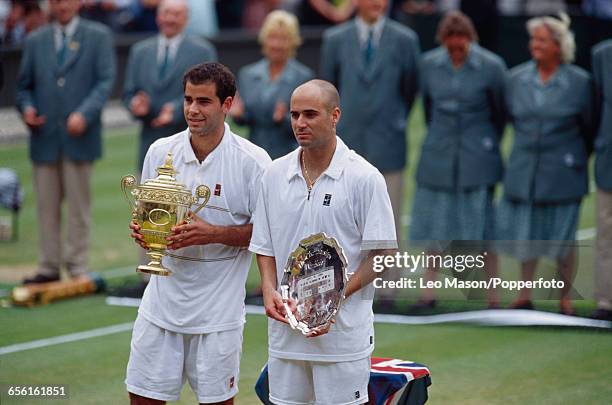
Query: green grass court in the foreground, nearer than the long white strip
[(469, 365)]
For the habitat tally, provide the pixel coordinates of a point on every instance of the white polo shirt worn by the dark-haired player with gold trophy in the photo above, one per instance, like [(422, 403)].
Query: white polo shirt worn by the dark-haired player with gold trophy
[(203, 297)]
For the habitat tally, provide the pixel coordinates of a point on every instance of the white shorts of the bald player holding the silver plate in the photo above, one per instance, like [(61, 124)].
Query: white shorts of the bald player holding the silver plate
[(297, 382)]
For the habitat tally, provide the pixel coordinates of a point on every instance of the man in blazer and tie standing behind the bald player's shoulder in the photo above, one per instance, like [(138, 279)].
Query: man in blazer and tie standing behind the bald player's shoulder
[(373, 61)]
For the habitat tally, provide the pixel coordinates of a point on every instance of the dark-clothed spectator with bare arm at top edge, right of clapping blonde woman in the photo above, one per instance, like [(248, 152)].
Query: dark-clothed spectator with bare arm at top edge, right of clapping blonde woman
[(326, 12)]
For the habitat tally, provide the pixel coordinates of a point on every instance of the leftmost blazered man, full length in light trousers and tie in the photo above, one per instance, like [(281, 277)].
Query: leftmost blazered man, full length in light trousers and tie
[(66, 75)]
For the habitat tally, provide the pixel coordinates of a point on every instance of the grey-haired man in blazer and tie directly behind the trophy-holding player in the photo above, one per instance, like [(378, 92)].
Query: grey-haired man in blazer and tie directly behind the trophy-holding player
[(153, 91)]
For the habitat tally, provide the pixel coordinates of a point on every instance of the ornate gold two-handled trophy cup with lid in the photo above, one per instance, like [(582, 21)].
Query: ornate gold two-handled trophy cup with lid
[(157, 206)]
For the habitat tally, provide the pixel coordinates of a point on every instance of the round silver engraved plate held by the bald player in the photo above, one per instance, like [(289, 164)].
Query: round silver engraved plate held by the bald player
[(314, 279)]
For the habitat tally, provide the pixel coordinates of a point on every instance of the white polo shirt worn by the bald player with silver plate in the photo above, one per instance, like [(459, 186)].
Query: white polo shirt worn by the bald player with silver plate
[(350, 203)]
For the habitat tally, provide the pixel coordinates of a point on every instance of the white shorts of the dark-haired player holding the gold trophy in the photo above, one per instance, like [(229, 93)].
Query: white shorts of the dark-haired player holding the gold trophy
[(161, 361)]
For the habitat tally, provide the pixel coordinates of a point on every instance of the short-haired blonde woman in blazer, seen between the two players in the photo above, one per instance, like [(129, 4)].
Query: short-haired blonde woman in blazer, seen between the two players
[(265, 86)]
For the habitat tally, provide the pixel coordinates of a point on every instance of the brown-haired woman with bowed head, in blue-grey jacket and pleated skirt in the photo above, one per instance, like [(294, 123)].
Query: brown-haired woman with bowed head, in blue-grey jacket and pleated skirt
[(462, 86)]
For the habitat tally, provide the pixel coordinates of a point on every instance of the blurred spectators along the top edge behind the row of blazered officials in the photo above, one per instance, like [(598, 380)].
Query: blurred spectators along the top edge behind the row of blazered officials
[(19, 17)]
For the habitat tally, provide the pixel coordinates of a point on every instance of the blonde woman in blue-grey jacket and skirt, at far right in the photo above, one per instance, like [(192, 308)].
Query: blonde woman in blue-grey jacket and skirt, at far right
[(550, 103)]
